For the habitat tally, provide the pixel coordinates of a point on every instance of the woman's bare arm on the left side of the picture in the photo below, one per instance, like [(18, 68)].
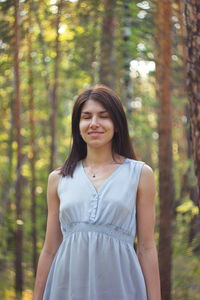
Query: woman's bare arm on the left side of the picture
[(53, 236)]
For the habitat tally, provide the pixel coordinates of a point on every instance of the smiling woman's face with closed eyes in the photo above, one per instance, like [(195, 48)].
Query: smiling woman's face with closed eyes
[(96, 127)]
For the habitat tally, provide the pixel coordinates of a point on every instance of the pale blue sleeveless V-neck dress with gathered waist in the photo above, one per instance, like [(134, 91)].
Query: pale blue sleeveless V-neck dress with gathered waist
[(96, 259)]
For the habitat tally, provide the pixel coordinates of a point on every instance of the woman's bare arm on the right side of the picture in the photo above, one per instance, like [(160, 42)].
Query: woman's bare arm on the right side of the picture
[(146, 248)]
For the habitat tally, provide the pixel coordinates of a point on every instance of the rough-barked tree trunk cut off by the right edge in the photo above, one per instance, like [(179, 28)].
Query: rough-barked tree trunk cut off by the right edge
[(192, 14)]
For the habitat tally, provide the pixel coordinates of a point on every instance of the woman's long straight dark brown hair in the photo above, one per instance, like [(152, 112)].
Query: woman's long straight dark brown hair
[(121, 143)]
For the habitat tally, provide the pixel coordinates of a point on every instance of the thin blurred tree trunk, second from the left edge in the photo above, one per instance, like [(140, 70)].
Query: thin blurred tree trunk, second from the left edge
[(32, 154)]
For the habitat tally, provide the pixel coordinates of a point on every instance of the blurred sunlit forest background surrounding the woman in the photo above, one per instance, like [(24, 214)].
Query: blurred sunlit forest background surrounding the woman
[(149, 53)]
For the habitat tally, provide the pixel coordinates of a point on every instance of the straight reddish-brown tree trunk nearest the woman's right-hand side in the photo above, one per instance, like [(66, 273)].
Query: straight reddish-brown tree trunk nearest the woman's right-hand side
[(166, 186)]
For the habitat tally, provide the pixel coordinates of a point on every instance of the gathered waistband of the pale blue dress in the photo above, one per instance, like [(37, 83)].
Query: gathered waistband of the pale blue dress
[(111, 230)]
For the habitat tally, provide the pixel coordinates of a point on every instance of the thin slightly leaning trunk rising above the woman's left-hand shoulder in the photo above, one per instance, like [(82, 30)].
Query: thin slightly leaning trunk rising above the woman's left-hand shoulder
[(55, 89)]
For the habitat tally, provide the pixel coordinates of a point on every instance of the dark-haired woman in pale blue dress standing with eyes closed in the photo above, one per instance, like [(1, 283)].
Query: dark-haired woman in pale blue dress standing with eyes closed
[(97, 201)]
